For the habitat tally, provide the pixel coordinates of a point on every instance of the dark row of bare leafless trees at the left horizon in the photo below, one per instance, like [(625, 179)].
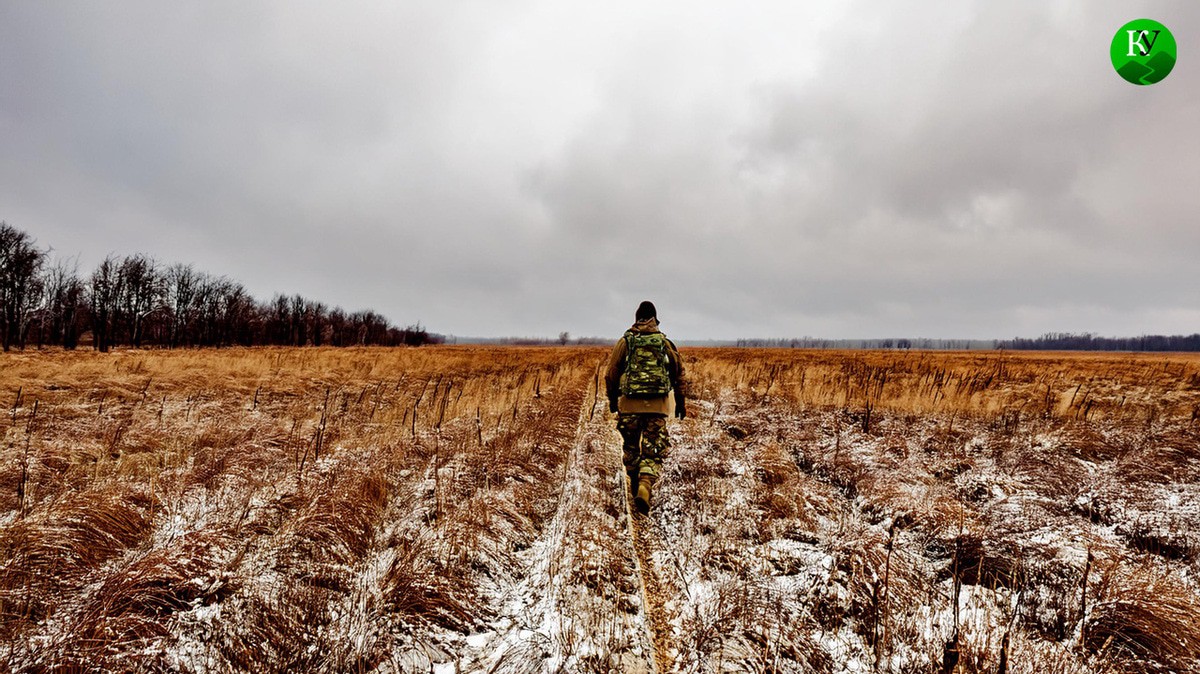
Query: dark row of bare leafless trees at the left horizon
[(136, 302)]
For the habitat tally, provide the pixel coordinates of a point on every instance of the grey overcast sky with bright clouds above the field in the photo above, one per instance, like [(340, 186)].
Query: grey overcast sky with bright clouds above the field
[(507, 167)]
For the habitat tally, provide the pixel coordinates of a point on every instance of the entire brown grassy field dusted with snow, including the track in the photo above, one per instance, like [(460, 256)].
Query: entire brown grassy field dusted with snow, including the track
[(455, 510)]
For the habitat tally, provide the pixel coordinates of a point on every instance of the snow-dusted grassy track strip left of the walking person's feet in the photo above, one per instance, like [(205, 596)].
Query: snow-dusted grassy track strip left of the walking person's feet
[(583, 604)]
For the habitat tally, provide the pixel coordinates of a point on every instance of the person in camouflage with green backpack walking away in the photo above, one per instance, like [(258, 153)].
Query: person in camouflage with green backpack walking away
[(645, 386)]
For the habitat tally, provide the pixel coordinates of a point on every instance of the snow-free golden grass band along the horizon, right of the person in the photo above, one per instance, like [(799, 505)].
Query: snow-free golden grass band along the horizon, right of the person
[(999, 386)]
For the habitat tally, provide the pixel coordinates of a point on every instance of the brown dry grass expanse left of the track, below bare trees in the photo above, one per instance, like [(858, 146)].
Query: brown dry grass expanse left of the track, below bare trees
[(291, 489)]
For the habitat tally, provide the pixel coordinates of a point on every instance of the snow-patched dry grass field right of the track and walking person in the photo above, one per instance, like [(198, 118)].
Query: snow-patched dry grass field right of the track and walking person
[(937, 513)]
